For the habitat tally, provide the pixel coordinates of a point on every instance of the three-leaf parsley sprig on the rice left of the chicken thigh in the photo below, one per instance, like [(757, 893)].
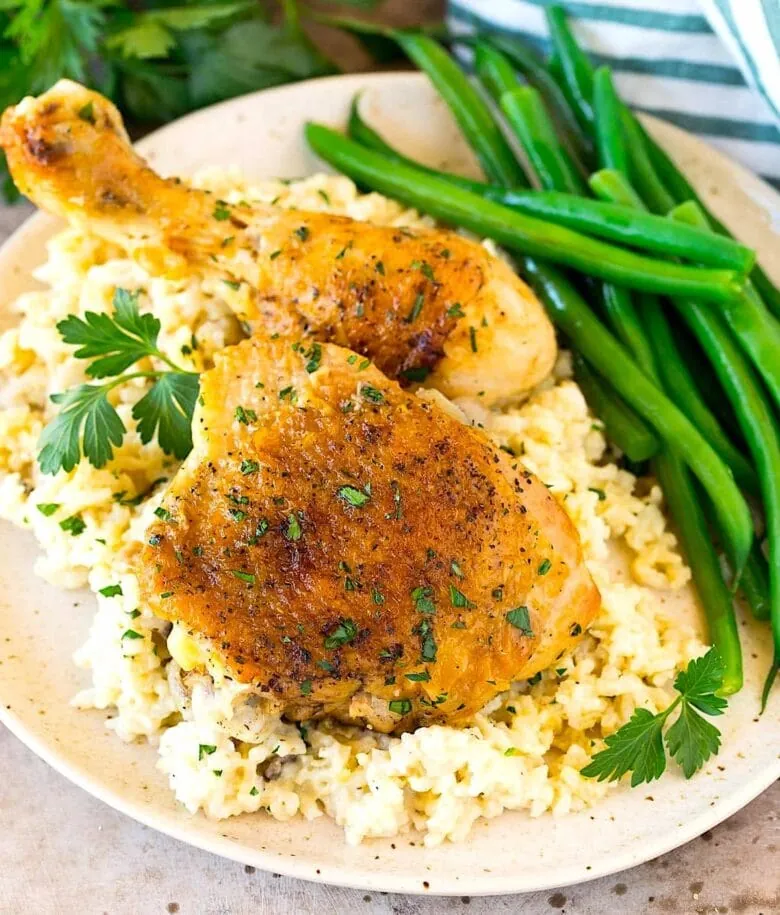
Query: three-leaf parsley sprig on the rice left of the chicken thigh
[(88, 425)]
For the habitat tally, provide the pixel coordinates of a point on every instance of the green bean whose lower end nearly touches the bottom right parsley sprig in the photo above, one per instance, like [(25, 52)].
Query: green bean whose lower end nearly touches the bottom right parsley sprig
[(702, 558)]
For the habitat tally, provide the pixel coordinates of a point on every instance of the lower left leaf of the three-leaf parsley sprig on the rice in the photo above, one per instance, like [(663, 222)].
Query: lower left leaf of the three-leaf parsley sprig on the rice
[(87, 423)]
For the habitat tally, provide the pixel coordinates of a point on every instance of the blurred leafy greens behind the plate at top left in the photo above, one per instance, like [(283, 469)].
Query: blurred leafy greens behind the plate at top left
[(159, 59)]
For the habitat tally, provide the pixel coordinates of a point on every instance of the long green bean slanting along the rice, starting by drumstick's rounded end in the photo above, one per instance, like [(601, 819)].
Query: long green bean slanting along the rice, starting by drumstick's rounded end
[(611, 360)]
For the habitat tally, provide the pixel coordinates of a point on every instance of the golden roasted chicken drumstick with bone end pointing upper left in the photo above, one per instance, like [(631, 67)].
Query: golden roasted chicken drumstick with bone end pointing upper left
[(426, 304)]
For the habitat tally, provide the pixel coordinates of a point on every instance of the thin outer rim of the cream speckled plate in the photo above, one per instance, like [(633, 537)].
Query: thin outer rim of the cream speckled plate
[(349, 876)]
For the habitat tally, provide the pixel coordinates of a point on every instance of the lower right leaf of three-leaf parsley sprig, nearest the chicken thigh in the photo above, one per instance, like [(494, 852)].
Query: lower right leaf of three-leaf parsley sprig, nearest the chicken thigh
[(166, 410)]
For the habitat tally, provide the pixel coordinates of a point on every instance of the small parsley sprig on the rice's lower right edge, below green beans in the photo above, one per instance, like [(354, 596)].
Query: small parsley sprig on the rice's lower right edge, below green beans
[(639, 747)]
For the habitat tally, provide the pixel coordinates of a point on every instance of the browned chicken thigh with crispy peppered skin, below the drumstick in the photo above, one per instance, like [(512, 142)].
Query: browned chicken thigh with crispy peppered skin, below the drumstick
[(354, 550)]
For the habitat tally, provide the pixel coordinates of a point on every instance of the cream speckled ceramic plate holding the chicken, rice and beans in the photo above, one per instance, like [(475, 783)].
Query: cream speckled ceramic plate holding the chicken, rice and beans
[(41, 626)]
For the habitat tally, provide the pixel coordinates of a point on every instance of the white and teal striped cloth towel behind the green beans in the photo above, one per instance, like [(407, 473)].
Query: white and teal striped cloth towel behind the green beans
[(709, 66)]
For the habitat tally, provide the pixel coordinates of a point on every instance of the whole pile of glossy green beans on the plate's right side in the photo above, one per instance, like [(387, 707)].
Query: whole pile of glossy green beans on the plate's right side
[(643, 283)]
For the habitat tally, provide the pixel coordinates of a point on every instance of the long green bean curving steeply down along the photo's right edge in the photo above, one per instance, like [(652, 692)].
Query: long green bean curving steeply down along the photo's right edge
[(758, 425)]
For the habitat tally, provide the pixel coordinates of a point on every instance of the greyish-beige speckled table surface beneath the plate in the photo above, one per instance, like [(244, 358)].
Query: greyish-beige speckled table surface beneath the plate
[(62, 851)]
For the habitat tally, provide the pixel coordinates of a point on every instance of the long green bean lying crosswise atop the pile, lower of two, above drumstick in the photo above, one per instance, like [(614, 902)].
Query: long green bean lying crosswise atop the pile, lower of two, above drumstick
[(518, 232)]
